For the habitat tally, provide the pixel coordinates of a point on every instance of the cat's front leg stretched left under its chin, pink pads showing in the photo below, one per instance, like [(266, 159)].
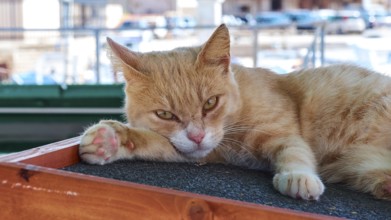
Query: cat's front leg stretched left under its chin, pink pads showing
[(110, 140)]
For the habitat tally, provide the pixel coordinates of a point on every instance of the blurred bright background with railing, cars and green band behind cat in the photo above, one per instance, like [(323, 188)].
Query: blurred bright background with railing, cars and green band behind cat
[(55, 78)]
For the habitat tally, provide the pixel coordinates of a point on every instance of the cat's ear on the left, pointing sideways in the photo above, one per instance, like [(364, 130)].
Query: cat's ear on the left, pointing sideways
[(126, 61)]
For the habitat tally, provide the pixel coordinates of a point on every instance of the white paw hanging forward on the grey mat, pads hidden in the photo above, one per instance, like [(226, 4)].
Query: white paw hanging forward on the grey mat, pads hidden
[(299, 185)]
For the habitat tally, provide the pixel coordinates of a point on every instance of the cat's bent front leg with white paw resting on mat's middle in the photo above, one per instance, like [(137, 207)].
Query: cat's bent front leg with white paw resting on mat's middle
[(295, 168)]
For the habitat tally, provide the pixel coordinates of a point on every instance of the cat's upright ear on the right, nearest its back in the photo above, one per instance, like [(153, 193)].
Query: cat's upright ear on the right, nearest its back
[(216, 51)]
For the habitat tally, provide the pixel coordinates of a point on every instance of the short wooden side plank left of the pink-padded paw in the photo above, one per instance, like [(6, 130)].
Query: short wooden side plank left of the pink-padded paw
[(55, 155)]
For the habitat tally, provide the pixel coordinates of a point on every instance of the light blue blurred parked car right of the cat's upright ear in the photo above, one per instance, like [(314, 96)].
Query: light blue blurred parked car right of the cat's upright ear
[(273, 20)]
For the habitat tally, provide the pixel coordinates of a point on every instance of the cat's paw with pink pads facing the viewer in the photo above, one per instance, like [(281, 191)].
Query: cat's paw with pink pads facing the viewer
[(100, 145)]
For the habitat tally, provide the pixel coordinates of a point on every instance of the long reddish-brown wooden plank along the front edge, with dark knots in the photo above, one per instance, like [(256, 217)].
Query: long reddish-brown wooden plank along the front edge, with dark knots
[(29, 191)]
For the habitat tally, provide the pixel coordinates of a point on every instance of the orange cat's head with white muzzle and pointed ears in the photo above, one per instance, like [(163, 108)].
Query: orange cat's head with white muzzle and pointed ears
[(186, 94)]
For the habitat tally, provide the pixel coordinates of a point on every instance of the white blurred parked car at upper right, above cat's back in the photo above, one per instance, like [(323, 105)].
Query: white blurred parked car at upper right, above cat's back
[(346, 21)]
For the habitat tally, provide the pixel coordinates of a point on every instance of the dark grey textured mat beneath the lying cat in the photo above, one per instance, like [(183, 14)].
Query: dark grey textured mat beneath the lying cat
[(238, 184)]
